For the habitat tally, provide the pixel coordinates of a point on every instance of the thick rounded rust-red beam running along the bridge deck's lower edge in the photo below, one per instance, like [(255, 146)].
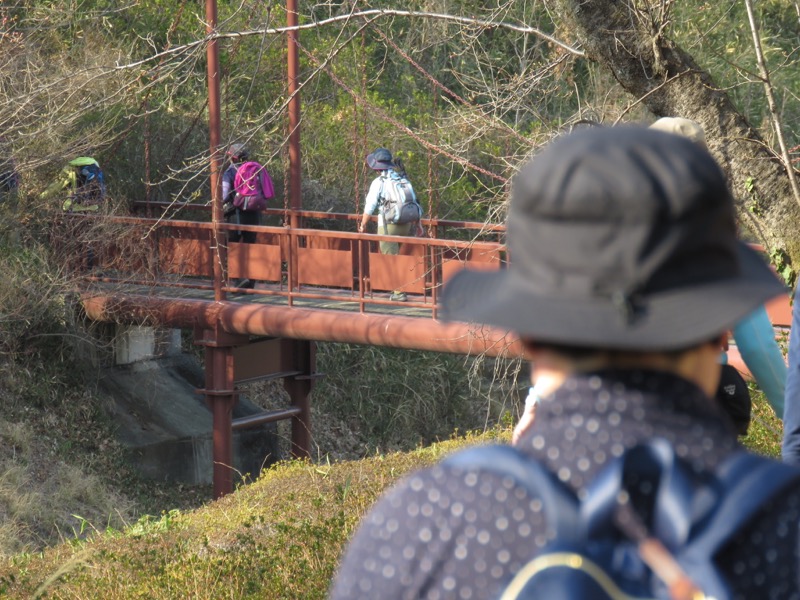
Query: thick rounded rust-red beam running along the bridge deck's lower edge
[(306, 324)]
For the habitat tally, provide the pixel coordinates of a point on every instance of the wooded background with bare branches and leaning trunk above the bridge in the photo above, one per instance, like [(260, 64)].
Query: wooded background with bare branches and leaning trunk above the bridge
[(464, 92)]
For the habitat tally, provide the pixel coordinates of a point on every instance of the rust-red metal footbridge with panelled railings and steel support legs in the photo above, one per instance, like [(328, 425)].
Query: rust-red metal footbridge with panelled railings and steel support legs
[(313, 284)]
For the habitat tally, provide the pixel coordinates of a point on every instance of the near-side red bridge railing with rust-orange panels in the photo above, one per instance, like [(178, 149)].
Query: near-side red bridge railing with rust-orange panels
[(323, 267)]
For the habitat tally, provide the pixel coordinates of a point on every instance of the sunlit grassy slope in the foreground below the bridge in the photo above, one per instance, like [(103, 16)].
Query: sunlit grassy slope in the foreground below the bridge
[(279, 537)]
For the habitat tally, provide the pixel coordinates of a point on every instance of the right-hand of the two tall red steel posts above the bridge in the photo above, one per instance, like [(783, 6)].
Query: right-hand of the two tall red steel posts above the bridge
[(295, 196)]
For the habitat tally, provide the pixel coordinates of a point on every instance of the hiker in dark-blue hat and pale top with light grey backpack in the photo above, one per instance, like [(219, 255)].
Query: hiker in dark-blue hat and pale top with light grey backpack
[(393, 194)]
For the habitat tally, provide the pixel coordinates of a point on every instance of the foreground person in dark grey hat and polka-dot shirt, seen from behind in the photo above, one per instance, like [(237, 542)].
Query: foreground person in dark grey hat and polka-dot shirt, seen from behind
[(626, 276)]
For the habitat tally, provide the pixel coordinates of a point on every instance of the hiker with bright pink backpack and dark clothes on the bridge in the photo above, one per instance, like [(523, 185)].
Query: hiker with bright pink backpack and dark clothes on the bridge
[(246, 187)]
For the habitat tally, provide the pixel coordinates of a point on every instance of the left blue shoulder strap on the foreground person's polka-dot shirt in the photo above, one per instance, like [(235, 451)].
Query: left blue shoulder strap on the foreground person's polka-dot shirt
[(559, 502)]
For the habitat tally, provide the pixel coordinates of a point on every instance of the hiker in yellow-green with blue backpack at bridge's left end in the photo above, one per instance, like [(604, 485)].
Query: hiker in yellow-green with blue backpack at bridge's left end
[(83, 182)]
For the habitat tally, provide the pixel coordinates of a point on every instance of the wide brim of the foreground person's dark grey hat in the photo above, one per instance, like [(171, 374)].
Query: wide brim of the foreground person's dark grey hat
[(668, 320)]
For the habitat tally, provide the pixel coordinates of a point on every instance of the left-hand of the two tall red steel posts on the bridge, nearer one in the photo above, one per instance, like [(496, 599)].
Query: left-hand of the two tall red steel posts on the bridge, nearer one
[(219, 246)]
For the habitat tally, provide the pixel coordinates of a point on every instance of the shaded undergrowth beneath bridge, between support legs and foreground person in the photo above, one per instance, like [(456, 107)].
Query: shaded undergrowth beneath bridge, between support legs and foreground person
[(389, 399)]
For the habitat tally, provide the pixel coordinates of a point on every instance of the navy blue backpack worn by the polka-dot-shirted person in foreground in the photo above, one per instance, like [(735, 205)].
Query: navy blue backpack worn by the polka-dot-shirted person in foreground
[(604, 549)]
